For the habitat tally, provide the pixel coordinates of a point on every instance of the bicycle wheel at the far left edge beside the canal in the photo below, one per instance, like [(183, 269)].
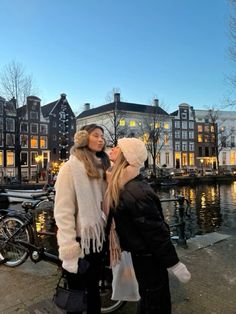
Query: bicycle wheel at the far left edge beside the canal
[(14, 252)]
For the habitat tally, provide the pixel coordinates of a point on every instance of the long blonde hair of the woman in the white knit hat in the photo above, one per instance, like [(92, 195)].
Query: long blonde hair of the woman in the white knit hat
[(114, 186)]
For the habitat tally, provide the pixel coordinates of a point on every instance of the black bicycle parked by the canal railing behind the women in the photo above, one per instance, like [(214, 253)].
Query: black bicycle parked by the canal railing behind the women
[(21, 236)]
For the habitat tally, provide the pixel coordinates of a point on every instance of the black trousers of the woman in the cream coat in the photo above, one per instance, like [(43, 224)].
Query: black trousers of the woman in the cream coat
[(89, 280)]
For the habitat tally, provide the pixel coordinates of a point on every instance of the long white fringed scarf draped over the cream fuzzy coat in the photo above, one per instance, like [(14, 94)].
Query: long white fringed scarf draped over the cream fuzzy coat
[(89, 195)]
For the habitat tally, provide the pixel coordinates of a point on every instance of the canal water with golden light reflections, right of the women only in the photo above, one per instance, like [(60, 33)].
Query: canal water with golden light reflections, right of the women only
[(212, 207)]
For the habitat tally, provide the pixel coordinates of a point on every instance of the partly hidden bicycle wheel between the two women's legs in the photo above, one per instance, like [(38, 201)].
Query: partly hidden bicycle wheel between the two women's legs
[(105, 284)]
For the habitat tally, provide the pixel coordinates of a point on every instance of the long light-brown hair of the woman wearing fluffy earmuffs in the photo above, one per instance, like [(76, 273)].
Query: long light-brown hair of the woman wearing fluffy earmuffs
[(90, 161)]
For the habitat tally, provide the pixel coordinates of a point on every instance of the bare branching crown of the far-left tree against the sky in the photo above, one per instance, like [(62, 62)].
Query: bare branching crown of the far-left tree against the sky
[(15, 83)]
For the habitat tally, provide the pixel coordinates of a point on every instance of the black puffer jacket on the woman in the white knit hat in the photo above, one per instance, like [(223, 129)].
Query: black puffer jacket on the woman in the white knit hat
[(140, 223)]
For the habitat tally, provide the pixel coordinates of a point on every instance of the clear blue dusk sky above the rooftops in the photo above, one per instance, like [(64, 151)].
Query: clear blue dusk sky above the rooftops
[(173, 50)]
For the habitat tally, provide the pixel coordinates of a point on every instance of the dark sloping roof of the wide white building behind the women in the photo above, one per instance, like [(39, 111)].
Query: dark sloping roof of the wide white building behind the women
[(122, 106)]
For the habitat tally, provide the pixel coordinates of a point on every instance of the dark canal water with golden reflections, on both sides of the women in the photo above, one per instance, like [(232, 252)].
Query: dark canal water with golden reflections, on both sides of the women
[(212, 208)]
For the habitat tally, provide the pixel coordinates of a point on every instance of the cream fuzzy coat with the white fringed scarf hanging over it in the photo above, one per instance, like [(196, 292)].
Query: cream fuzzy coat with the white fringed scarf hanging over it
[(78, 210)]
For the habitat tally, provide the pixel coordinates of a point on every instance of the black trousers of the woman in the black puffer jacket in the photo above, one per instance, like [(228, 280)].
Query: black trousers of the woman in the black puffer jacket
[(153, 283)]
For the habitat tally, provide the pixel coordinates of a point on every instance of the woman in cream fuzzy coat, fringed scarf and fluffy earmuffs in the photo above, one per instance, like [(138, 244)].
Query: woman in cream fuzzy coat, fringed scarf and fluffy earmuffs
[(78, 212)]
